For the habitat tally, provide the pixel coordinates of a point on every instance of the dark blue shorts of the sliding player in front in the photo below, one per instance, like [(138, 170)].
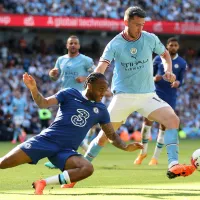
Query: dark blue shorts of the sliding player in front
[(38, 147)]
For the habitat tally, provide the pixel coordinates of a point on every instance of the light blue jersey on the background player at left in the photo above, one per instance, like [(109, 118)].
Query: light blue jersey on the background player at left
[(71, 68)]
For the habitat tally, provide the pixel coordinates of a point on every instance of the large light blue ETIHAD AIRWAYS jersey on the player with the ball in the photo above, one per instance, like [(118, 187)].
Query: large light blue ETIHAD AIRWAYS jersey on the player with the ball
[(133, 72)]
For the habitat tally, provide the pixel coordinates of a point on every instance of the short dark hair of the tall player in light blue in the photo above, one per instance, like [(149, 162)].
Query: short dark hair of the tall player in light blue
[(134, 11)]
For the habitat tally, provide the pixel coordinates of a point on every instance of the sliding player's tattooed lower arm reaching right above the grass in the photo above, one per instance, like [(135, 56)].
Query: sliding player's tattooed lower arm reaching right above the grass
[(116, 141)]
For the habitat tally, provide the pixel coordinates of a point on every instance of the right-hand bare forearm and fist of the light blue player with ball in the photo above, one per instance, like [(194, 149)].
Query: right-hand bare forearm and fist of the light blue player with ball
[(167, 63)]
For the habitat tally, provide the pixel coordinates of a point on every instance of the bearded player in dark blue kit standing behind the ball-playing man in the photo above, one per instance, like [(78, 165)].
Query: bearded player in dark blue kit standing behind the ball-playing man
[(167, 92)]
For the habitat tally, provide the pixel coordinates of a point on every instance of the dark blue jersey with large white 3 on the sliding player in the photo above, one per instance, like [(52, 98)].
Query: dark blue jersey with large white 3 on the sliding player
[(75, 116)]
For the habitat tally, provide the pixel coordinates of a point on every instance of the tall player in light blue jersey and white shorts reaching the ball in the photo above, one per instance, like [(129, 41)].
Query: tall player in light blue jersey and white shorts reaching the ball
[(133, 86)]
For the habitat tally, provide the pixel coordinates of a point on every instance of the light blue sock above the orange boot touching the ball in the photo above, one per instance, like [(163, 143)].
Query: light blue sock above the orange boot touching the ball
[(171, 142)]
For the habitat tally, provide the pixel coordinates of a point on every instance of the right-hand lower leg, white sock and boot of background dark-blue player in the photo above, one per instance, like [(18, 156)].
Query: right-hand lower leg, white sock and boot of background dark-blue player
[(158, 148)]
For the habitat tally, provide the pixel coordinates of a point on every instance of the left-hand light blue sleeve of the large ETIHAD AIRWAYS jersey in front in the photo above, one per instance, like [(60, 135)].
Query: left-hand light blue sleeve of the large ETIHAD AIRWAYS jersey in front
[(108, 54)]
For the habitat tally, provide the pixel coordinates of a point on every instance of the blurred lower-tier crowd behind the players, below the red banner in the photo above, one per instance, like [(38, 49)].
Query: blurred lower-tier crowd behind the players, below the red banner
[(37, 58)]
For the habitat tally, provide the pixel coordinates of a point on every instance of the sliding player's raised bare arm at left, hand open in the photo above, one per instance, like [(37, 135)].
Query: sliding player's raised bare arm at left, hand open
[(42, 102)]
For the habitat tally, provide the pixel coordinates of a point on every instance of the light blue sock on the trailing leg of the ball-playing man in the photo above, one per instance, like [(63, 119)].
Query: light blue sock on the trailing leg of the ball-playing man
[(93, 150)]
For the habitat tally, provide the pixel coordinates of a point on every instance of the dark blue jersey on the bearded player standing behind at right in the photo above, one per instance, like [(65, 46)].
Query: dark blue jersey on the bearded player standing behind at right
[(163, 88)]
